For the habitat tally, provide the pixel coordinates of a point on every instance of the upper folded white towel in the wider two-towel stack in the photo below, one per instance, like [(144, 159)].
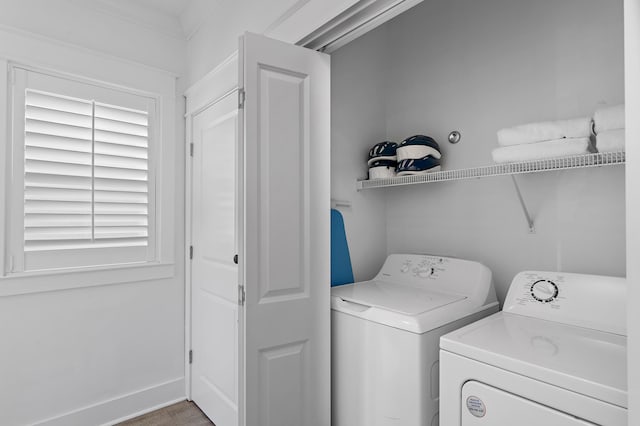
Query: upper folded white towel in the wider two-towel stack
[(545, 131)]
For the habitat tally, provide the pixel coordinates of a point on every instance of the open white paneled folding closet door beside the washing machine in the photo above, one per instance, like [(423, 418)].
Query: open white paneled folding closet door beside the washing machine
[(285, 255)]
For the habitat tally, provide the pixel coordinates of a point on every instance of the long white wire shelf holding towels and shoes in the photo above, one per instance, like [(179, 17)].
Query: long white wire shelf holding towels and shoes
[(535, 166)]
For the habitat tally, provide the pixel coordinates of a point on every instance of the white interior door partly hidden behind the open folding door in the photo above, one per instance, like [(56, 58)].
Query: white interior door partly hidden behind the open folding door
[(214, 275)]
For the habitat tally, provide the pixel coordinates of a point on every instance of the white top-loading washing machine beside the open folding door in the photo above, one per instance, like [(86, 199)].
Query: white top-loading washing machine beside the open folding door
[(385, 335)]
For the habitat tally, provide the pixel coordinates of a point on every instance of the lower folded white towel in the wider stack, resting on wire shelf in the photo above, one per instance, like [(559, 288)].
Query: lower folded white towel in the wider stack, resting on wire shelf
[(542, 150)]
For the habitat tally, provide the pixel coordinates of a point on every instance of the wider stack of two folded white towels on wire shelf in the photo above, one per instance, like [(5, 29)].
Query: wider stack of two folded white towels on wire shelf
[(548, 139)]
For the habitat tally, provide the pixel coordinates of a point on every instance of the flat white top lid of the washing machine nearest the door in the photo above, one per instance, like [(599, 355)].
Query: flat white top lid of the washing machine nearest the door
[(398, 298)]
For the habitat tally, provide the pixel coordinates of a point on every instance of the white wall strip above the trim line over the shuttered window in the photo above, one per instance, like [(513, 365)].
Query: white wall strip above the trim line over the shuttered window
[(102, 26)]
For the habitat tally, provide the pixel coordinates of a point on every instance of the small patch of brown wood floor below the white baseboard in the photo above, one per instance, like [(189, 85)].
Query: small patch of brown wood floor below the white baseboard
[(183, 413)]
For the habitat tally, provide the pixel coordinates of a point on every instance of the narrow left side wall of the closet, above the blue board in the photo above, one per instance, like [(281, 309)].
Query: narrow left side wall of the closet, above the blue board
[(358, 122)]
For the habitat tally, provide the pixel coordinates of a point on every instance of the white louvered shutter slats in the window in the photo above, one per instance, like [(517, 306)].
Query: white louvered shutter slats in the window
[(86, 181)]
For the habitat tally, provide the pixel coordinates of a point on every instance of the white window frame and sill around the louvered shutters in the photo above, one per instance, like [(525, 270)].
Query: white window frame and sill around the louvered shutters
[(13, 189)]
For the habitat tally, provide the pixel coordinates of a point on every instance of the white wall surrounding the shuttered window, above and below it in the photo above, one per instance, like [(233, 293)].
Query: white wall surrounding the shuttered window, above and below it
[(92, 355)]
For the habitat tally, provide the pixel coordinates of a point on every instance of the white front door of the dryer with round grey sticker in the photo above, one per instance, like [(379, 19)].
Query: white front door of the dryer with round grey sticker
[(486, 405)]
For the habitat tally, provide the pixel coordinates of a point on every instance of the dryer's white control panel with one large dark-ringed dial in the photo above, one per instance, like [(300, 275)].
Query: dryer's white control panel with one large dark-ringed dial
[(590, 301)]
